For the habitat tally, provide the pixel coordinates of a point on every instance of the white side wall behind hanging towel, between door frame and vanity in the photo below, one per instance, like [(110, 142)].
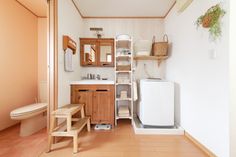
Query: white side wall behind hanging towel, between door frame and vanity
[(69, 23)]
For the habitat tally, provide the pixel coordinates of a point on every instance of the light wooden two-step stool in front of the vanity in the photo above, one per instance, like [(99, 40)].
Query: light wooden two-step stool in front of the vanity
[(71, 126)]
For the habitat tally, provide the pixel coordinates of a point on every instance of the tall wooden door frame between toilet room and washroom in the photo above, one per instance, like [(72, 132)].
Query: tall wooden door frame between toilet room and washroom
[(52, 59)]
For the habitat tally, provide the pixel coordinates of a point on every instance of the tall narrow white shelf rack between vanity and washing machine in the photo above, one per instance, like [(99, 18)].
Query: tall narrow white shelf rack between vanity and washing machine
[(123, 54)]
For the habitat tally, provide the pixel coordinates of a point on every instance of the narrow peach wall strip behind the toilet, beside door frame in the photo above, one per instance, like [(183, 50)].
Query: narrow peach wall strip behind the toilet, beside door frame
[(42, 49)]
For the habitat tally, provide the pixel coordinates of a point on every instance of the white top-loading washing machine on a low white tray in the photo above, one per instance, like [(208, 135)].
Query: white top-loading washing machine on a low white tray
[(156, 102)]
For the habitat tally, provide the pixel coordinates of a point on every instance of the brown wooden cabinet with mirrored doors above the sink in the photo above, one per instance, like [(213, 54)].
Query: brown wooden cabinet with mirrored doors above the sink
[(96, 52)]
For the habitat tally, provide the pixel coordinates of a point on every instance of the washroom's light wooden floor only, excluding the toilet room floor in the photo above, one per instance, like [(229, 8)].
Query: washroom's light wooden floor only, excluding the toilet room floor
[(122, 142)]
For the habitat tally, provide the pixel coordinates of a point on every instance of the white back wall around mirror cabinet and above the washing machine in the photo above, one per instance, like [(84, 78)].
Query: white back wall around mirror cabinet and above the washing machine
[(138, 29)]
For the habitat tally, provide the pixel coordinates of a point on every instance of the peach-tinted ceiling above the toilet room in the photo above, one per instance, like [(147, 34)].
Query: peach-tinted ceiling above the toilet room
[(37, 7)]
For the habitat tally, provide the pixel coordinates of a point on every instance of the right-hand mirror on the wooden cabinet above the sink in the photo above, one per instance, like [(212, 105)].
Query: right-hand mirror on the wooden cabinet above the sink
[(106, 54)]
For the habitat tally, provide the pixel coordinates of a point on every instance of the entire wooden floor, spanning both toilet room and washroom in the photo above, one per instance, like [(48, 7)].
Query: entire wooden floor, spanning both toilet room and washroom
[(120, 142)]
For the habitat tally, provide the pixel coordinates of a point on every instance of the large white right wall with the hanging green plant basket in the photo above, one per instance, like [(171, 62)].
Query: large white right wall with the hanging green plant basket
[(203, 89)]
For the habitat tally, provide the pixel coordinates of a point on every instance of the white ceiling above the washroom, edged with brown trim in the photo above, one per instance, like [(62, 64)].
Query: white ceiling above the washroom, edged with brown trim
[(124, 8)]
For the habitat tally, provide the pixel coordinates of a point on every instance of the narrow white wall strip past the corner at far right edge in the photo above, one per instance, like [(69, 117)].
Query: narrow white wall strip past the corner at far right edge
[(232, 66)]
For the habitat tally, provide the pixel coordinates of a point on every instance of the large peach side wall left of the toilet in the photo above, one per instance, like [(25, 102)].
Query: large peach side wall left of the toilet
[(18, 59)]
